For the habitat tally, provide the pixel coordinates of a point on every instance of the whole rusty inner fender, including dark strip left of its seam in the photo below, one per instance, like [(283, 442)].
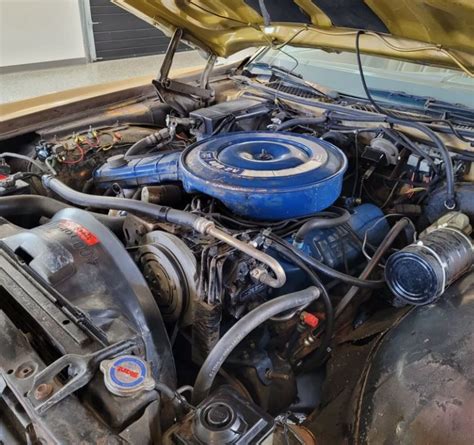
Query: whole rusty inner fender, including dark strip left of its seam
[(408, 381)]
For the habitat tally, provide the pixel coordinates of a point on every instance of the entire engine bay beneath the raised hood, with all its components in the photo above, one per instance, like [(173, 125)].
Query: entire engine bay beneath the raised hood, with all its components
[(199, 268)]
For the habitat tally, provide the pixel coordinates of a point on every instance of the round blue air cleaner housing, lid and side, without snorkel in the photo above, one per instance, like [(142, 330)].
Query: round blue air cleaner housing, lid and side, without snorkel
[(265, 175)]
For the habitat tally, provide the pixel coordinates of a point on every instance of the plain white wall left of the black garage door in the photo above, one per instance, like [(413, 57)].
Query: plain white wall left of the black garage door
[(40, 31)]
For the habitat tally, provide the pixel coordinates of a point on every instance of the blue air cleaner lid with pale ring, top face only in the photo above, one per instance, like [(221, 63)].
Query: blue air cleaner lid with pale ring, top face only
[(262, 159)]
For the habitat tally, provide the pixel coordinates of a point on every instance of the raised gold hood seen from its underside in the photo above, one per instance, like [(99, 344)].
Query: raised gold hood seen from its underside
[(436, 32)]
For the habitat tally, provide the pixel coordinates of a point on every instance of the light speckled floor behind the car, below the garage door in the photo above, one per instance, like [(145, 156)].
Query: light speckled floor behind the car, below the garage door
[(27, 84)]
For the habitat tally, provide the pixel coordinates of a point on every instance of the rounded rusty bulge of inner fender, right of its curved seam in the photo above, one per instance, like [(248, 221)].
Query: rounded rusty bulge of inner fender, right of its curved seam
[(419, 388)]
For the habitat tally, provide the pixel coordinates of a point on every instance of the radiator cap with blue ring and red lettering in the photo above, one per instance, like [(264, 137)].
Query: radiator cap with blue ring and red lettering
[(127, 375)]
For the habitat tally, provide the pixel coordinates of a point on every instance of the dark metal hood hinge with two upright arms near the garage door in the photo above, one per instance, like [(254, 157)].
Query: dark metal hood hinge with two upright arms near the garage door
[(163, 81)]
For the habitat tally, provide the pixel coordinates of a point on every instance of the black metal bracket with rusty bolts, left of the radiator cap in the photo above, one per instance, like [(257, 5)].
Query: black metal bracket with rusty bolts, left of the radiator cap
[(81, 367)]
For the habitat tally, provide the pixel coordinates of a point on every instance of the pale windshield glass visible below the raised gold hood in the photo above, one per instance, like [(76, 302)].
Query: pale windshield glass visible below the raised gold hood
[(339, 71)]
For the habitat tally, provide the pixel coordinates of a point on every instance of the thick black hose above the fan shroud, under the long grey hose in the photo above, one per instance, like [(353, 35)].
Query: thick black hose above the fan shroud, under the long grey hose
[(44, 206)]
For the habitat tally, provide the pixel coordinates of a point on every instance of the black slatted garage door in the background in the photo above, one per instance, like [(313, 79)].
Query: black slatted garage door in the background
[(119, 34)]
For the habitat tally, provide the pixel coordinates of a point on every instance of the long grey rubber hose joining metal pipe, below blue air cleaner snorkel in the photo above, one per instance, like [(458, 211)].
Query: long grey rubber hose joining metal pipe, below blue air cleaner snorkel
[(156, 211)]
